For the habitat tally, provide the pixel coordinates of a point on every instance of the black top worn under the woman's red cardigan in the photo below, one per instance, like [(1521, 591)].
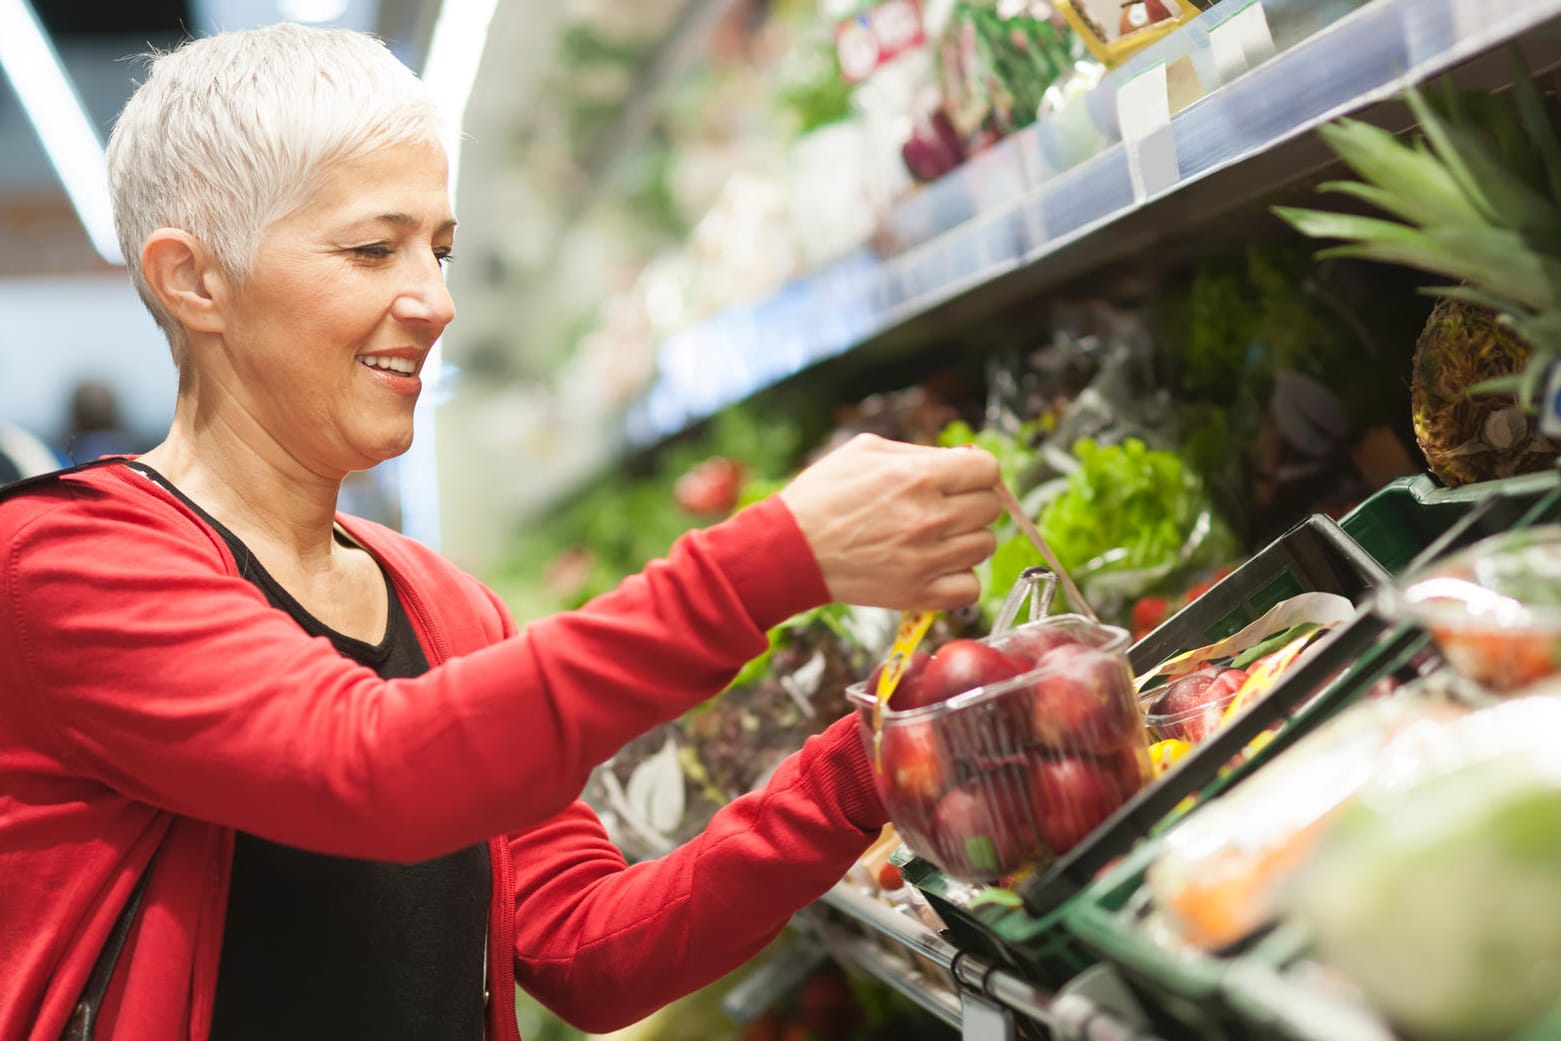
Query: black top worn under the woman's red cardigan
[(322, 948)]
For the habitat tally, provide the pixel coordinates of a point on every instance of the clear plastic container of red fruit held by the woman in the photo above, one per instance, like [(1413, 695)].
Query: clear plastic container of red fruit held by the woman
[(1012, 773)]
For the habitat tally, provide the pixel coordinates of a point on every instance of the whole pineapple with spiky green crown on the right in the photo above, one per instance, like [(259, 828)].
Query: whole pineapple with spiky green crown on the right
[(1477, 197)]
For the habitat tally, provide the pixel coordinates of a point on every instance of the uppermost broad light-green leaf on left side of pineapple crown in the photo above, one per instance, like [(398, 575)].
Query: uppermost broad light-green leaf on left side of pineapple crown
[(1393, 168)]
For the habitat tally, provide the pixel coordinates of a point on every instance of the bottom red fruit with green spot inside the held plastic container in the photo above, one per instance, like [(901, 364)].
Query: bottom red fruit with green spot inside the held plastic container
[(984, 828)]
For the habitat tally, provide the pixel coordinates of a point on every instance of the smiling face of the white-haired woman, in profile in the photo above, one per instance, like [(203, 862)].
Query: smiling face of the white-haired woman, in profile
[(330, 330)]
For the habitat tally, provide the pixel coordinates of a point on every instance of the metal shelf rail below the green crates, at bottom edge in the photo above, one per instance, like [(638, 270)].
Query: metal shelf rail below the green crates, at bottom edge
[(969, 982)]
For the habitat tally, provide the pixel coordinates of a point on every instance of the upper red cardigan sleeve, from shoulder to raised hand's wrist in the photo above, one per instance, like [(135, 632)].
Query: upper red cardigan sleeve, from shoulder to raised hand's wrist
[(133, 656)]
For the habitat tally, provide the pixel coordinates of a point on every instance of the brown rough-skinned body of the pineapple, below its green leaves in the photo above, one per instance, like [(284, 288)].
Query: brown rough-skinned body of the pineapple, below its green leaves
[(1471, 438)]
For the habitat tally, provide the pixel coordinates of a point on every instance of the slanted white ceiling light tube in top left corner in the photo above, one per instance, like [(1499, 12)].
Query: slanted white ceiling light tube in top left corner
[(62, 123)]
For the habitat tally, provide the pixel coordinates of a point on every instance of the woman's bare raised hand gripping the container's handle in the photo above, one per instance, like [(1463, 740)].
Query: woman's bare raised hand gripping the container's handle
[(898, 525)]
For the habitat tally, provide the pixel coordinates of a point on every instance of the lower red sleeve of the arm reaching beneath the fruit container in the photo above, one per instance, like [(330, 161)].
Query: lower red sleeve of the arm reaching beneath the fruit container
[(603, 945)]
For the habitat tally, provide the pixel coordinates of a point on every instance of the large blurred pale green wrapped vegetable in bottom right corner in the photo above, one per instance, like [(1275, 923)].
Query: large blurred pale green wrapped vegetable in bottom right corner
[(1435, 890)]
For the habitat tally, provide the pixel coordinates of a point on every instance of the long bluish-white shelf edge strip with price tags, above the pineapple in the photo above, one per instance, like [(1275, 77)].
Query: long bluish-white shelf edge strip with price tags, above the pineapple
[(1033, 194)]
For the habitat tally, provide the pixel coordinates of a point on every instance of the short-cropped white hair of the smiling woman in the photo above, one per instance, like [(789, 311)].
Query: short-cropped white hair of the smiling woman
[(233, 132)]
